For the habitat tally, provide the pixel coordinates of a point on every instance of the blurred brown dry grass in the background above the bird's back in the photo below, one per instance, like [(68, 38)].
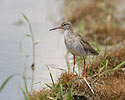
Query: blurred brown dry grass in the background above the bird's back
[(97, 17)]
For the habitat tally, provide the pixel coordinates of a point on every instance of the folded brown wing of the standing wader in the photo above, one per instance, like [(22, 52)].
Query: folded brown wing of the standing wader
[(88, 48)]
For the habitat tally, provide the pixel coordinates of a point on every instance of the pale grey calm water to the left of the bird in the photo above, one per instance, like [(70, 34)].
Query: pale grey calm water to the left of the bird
[(43, 14)]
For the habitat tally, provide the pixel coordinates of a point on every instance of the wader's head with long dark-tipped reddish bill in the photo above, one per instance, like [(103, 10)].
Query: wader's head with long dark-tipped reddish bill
[(64, 26)]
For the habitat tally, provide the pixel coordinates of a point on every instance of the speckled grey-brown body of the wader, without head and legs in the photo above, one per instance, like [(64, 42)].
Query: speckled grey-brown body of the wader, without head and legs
[(77, 45)]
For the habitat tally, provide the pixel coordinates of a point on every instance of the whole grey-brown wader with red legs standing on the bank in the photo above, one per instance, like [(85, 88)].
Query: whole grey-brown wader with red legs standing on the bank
[(76, 45)]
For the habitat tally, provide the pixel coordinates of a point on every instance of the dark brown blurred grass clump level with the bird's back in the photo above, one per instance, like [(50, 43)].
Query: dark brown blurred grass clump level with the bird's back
[(113, 35)]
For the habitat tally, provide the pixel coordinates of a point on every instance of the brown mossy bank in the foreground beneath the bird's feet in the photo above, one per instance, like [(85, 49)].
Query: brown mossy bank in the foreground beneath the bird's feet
[(107, 84)]
